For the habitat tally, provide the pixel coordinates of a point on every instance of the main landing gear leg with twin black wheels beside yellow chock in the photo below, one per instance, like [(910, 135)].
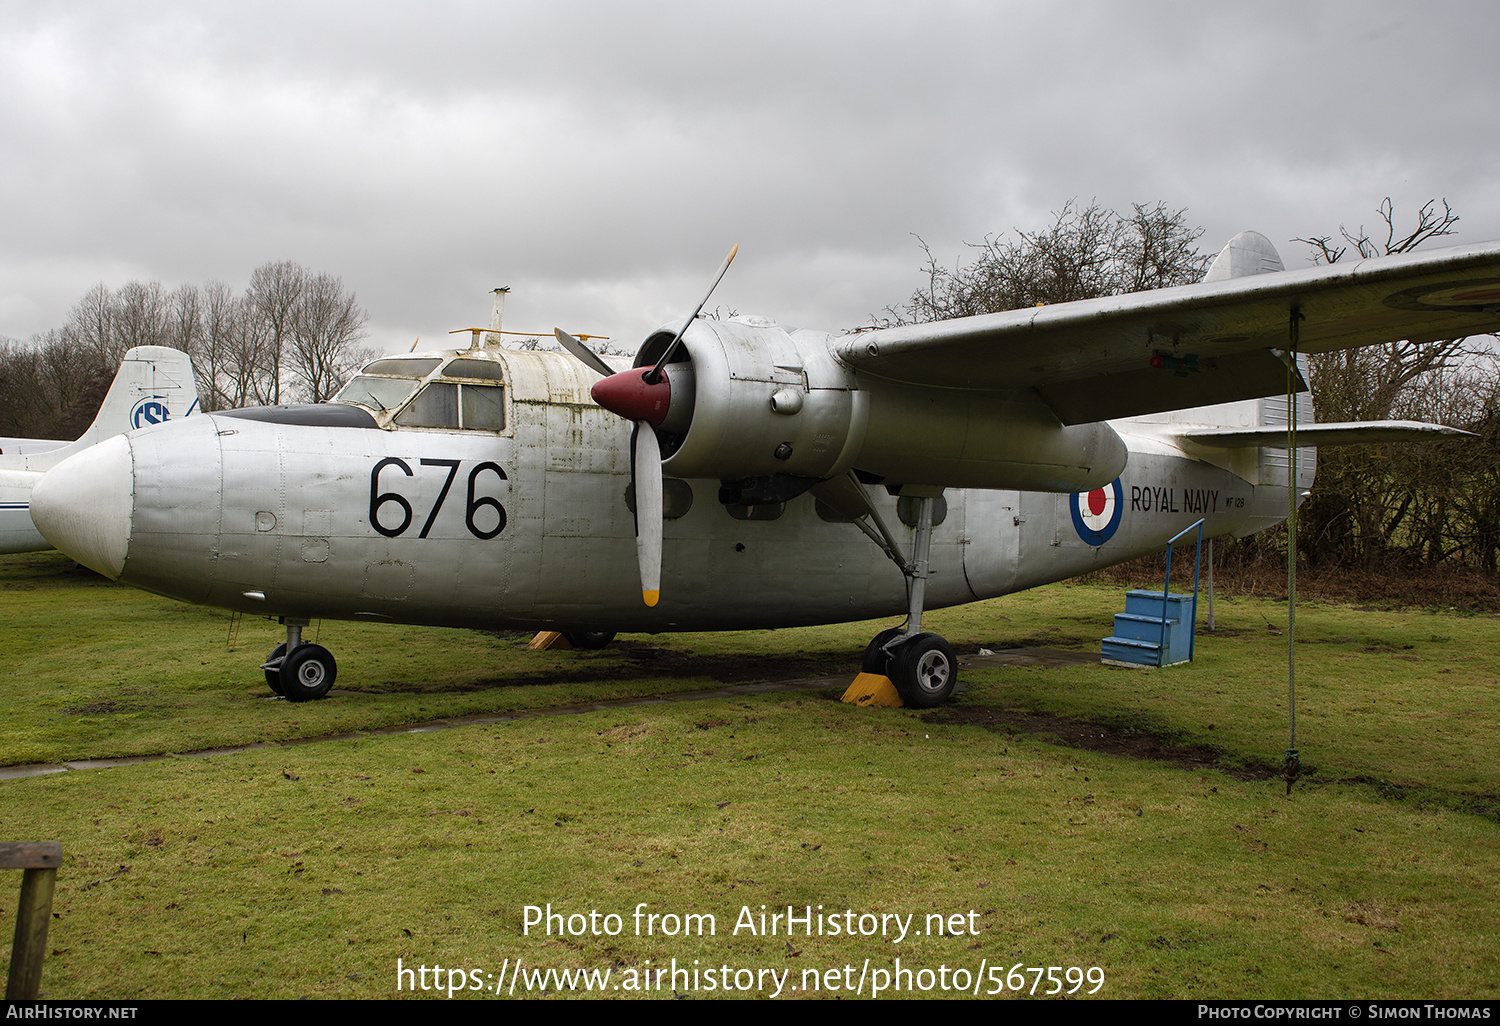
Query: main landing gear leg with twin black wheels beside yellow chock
[(922, 667)]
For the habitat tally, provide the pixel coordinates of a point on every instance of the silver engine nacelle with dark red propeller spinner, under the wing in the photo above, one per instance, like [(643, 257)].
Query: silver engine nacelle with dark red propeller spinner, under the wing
[(772, 412)]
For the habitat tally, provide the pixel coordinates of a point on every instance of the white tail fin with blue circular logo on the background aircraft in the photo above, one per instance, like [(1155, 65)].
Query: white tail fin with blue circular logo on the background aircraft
[(154, 385)]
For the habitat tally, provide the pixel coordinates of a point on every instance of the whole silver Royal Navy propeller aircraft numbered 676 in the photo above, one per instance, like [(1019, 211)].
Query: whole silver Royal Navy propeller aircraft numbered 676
[(748, 475)]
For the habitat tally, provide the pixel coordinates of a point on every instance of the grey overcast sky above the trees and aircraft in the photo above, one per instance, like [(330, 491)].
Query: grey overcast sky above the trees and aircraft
[(601, 158)]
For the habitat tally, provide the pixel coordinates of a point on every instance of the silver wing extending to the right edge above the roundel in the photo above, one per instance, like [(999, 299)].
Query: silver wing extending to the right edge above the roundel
[(1093, 361)]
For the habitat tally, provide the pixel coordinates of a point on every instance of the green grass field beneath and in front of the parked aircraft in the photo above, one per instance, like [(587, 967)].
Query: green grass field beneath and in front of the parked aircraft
[(311, 869)]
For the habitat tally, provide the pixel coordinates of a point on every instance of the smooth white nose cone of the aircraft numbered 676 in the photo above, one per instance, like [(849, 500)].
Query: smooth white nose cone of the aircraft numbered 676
[(83, 506)]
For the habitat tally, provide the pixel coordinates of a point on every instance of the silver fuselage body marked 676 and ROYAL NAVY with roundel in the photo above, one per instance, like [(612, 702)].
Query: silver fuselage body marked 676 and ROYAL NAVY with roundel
[(530, 527)]
